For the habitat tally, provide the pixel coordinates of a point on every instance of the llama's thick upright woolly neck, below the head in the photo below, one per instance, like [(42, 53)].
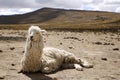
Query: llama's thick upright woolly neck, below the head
[(33, 54)]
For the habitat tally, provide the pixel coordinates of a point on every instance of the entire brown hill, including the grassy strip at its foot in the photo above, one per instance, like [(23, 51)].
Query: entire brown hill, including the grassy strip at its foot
[(61, 18)]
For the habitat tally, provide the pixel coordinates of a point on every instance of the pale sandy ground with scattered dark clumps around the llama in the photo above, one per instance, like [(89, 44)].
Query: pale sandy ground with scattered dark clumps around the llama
[(100, 48)]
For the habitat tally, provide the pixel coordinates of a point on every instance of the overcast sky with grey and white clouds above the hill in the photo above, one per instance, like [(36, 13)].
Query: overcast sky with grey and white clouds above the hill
[(9, 7)]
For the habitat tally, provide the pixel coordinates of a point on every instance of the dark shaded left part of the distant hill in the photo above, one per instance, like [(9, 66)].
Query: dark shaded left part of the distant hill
[(37, 16)]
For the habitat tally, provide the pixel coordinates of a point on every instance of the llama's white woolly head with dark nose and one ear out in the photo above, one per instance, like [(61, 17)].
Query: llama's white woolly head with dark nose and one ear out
[(35, 33)]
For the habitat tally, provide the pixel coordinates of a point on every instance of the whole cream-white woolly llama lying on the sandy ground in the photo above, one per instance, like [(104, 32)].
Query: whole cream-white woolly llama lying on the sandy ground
[(46, 59)]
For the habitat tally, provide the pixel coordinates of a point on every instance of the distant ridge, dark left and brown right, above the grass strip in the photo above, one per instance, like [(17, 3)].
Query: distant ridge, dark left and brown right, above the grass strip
[(66, 16)]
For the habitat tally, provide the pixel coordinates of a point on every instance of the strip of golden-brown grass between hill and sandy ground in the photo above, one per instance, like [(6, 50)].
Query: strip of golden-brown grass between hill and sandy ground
[(83, 26)]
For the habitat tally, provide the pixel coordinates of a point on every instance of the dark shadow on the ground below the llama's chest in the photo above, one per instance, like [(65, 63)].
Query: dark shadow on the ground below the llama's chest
[(38, 76)]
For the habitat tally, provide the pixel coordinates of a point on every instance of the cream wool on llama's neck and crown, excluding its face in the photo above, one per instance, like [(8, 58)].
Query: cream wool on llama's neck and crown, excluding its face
[(33, 52)]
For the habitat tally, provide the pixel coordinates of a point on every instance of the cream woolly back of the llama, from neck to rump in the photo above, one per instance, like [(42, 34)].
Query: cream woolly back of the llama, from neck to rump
[(59, 55)]
